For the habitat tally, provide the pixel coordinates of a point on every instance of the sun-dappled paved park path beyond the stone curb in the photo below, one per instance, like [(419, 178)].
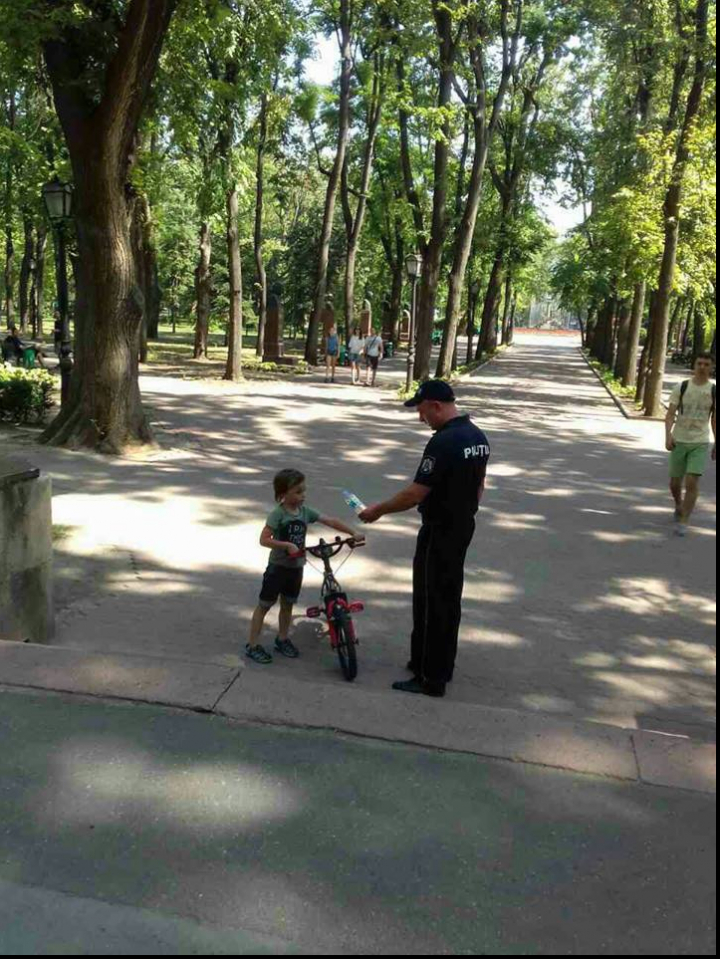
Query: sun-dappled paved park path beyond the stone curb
[(579, 602)]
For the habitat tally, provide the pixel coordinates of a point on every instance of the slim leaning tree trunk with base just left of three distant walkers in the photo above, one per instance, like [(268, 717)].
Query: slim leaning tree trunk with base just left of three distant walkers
[(321, 286)]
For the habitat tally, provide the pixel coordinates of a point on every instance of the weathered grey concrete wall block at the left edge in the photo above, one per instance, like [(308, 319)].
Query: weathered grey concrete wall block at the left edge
[(26, 577)]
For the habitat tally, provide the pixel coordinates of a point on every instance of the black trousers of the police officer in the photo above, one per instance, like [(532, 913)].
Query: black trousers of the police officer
[(438, 578)]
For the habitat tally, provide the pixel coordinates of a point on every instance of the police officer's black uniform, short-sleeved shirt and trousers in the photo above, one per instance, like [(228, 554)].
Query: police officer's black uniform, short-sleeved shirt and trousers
[(454, 466)]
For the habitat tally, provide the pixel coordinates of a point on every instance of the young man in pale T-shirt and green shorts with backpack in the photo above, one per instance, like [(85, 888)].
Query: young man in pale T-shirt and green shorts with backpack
[(691, 415)]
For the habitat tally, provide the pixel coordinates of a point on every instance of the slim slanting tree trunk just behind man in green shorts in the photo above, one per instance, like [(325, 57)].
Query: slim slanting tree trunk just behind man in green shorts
[(672, 212)]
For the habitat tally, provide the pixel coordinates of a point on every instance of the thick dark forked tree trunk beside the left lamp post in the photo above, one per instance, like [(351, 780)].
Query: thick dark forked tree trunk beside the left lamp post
[(105, 410)]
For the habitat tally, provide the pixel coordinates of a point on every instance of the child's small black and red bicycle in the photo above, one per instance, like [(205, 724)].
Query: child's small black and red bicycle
[(335, 606)]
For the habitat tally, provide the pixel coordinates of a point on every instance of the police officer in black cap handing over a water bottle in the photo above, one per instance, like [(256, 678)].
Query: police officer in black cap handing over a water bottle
[(447, 490)]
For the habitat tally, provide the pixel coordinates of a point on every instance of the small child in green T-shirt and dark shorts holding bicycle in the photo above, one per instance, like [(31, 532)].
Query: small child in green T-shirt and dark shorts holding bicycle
[(284, 534)]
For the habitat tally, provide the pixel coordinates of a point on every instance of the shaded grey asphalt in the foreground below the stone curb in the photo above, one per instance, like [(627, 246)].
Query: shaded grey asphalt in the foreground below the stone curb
[(136, 830)]
